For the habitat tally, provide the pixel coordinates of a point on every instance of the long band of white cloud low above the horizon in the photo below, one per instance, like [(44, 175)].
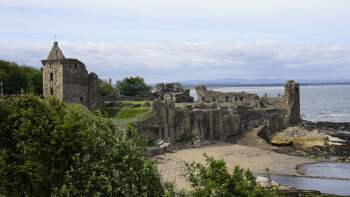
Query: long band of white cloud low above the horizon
[(177, 60)]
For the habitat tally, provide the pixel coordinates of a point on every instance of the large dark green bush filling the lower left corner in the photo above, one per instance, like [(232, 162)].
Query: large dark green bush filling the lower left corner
[(36, 145)]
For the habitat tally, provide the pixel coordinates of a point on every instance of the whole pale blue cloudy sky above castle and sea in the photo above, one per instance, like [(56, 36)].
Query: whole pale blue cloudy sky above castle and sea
[(176, 40)]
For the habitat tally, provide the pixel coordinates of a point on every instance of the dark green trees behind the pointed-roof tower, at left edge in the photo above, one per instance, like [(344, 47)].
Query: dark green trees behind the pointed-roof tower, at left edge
[(20, 78)]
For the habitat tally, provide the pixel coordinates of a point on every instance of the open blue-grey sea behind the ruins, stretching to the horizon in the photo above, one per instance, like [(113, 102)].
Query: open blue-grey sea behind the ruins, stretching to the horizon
[(330, 103)]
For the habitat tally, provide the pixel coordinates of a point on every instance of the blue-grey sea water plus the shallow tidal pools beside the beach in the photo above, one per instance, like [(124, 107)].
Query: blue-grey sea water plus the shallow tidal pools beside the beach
[(328, 103)]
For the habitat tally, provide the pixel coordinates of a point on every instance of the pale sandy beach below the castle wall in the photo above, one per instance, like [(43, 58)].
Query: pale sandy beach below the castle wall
[(250, 152)]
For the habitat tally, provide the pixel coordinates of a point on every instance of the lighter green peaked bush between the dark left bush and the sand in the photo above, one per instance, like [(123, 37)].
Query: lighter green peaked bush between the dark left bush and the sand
[(111, 165)]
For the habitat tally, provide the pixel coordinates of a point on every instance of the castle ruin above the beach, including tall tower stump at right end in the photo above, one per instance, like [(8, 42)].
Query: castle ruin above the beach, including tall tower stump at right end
[(210, 122)]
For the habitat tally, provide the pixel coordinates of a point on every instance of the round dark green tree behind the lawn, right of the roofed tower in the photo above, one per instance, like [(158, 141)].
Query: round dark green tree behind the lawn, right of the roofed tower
[(132, 86)]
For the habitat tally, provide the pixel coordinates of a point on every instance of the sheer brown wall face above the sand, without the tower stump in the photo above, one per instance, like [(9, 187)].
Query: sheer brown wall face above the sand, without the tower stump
[(174, 125)]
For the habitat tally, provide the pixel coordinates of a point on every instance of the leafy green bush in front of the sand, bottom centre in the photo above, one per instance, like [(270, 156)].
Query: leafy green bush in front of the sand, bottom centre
[(214, 180)]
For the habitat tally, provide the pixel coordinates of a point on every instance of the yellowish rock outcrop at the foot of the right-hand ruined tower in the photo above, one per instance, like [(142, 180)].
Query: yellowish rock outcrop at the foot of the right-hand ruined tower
[(298, 136)]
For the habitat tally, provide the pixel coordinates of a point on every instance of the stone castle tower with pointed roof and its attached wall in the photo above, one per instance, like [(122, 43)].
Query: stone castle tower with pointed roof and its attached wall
[(68, 80)]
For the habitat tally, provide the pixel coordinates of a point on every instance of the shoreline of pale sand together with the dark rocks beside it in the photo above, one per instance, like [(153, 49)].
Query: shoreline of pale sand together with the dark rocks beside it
[(244, 150)]
